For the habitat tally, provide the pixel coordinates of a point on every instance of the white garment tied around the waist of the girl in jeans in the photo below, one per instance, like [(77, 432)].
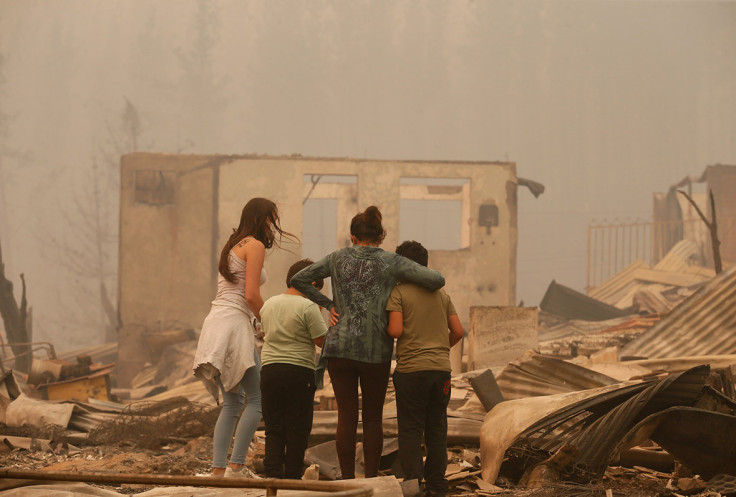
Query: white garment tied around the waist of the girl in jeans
[(225, 348)]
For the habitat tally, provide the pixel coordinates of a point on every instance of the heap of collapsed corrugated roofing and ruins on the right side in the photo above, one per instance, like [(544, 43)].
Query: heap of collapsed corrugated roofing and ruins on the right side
[(650, 363)]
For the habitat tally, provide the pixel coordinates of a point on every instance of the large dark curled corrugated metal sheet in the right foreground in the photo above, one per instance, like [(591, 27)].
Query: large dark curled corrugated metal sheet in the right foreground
[(599, 426)]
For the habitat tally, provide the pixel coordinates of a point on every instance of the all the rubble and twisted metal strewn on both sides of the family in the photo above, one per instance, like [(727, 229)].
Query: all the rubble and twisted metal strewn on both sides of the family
[(630, 395)]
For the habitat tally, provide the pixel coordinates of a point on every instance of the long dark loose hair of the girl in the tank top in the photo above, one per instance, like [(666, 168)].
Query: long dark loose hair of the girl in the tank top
[(259, 219)]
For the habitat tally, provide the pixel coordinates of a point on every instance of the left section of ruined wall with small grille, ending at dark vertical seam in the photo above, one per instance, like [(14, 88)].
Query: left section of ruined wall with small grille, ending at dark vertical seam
[(166, 249)]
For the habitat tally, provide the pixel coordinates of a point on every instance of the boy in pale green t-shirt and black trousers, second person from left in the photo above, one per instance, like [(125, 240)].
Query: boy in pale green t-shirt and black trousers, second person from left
[(292, 325)]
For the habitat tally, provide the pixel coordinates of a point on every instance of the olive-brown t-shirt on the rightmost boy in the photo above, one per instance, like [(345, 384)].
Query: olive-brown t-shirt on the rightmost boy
[(424, 345)]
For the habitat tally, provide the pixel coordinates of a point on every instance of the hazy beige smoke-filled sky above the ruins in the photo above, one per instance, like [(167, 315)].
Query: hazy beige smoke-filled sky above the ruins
[(604, 102)]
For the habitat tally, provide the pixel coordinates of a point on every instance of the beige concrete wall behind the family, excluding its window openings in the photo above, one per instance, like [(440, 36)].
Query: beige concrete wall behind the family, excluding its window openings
[(169, 250)]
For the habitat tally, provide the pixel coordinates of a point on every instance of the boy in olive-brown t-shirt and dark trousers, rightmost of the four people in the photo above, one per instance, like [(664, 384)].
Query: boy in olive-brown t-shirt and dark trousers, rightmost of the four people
[(420, 319)]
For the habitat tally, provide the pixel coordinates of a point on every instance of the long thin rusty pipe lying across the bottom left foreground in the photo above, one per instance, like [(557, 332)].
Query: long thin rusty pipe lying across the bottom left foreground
[(335, 488)]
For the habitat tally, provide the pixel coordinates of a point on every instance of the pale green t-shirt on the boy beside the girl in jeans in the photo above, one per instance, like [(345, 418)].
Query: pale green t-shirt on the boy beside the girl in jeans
[(290, 323)]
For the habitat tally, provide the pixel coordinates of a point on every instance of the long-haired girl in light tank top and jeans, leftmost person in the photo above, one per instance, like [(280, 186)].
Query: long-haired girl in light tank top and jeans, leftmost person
[(226, 359)]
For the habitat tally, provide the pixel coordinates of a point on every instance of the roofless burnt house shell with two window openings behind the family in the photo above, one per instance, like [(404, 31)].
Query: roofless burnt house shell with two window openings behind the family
[(176, 212)]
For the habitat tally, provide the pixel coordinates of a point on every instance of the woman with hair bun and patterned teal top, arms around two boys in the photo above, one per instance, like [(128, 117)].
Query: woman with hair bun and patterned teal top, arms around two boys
[(356, 346)]
